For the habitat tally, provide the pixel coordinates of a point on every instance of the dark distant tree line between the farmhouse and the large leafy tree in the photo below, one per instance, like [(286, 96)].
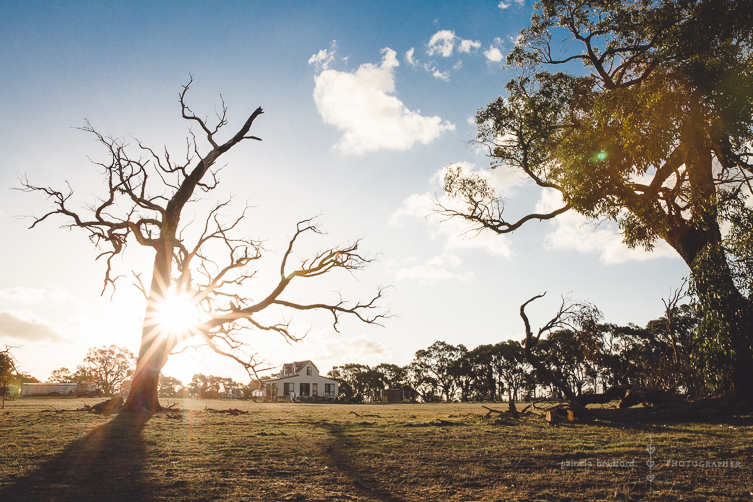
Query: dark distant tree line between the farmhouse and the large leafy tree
[(588, 361)]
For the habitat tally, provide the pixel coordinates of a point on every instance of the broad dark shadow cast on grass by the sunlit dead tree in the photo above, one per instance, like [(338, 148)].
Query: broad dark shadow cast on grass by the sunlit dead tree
[(104, 466)]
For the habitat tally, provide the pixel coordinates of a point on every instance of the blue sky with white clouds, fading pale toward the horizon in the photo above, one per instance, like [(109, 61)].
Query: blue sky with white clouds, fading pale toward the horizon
[(365, 104)]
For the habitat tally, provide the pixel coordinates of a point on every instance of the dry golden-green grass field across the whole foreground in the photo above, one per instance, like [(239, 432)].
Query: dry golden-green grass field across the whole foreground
[(325, 452)]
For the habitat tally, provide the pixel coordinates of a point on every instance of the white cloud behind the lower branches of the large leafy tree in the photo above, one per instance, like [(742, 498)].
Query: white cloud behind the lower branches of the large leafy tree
[(573, 231)]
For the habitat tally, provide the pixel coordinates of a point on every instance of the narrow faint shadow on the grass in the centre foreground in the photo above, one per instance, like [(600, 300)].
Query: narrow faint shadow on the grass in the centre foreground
[(343, 456)]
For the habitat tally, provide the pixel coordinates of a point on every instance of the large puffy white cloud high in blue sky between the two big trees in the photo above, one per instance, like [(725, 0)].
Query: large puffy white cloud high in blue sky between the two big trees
[(362, 105)]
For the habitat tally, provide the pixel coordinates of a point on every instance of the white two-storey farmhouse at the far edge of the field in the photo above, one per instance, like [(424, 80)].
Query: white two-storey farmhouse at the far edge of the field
[(300, 380)]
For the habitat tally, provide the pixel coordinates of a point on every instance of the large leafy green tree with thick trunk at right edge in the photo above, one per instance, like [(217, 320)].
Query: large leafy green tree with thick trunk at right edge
[(650, 126)]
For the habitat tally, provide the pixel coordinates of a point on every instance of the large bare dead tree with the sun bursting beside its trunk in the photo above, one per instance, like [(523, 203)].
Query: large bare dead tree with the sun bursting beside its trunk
[(146, 196)]
